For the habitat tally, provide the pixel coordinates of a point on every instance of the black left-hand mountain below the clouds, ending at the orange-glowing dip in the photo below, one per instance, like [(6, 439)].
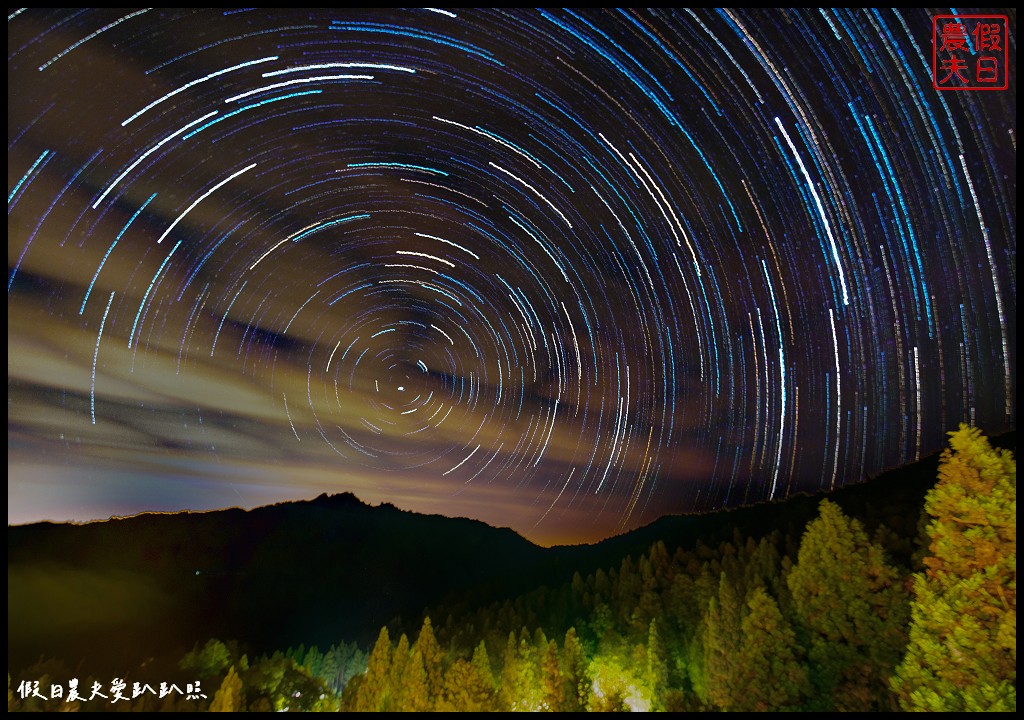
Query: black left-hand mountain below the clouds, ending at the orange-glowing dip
[(313, 572)]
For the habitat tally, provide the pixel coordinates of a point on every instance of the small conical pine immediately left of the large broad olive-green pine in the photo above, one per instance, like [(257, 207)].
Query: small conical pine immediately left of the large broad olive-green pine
[(771, 676)]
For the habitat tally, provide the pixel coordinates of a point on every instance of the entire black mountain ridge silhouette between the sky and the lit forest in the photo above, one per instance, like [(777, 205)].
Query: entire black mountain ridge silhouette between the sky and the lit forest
[(331, 569)]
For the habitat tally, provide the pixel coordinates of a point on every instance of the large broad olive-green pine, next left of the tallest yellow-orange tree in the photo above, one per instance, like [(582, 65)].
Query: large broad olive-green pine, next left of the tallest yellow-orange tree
[(854, 608)]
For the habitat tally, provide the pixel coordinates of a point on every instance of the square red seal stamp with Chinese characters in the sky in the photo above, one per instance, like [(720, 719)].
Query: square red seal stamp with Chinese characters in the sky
[(970, 53)]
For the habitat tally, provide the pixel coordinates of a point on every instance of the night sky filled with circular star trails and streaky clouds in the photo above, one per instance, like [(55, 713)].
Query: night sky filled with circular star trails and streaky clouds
[(560, 271)]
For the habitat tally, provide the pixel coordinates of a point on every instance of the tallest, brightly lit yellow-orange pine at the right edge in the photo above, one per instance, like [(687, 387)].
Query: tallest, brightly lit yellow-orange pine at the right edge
[(962, 655)]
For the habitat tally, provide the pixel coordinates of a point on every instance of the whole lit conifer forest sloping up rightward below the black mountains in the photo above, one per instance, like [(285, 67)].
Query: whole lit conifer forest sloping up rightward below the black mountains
[(839, 615)]
